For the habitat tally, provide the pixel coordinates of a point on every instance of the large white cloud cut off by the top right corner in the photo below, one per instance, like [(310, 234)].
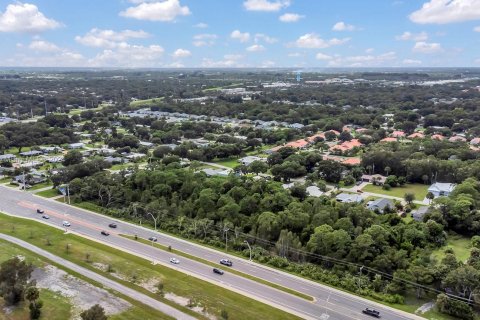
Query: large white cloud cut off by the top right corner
[(447, 11)]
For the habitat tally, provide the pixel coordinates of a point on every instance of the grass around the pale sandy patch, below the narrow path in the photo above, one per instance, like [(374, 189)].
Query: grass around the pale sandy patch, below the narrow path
[(58, 307)]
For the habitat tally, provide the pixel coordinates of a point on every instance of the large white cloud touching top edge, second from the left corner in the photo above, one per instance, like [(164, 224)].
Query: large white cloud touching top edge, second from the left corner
[(166, 10)]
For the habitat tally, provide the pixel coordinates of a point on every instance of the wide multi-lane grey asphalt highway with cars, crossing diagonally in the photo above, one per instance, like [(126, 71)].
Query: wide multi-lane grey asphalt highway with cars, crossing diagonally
[(329, 303)]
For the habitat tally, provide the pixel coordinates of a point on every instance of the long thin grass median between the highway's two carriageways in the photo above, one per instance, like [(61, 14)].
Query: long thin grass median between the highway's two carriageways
[(216, 265)]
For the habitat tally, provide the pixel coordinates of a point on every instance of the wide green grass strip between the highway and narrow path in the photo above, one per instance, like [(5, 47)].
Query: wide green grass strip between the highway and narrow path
[(135, 272)]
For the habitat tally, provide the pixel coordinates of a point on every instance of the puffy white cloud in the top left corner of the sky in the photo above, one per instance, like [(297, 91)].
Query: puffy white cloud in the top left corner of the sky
[(25, 17)]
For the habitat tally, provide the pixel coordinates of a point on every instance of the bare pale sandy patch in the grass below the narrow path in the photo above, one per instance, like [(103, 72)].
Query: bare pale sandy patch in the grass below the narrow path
[(82, 294)]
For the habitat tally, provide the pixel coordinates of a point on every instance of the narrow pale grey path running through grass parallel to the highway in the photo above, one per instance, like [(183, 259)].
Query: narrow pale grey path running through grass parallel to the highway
[(162, 307)]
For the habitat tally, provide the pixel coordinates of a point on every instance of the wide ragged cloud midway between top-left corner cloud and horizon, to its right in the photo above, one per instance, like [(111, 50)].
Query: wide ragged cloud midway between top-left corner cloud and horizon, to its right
[(109, 38)]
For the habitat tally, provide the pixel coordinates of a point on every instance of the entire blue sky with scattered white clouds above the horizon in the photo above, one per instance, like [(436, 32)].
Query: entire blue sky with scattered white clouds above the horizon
[(240, 33)]
